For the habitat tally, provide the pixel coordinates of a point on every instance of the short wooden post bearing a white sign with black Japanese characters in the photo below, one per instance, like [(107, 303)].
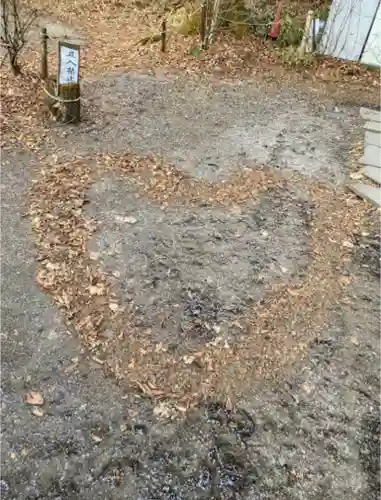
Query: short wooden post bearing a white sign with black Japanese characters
[(68, 82)]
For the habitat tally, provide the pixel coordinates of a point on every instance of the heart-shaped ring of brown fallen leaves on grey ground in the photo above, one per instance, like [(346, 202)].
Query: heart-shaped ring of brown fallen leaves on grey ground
[(279, 329)]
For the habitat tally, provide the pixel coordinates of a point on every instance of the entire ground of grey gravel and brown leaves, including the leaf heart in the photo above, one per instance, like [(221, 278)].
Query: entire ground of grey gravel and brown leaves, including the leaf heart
[(190, 296)]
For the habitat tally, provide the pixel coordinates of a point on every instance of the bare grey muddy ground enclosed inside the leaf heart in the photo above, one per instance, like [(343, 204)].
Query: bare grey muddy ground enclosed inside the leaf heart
[(187, 273)]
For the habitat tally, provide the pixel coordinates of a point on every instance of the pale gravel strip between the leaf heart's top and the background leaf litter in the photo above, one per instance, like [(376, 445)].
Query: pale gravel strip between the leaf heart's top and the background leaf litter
[(210, 130)]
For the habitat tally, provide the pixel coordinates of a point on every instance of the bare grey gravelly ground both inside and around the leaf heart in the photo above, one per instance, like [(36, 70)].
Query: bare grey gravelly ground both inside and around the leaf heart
[(311, 433)]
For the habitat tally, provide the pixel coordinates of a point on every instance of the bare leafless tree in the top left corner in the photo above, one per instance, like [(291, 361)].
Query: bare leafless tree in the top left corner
[(14, 26)]
